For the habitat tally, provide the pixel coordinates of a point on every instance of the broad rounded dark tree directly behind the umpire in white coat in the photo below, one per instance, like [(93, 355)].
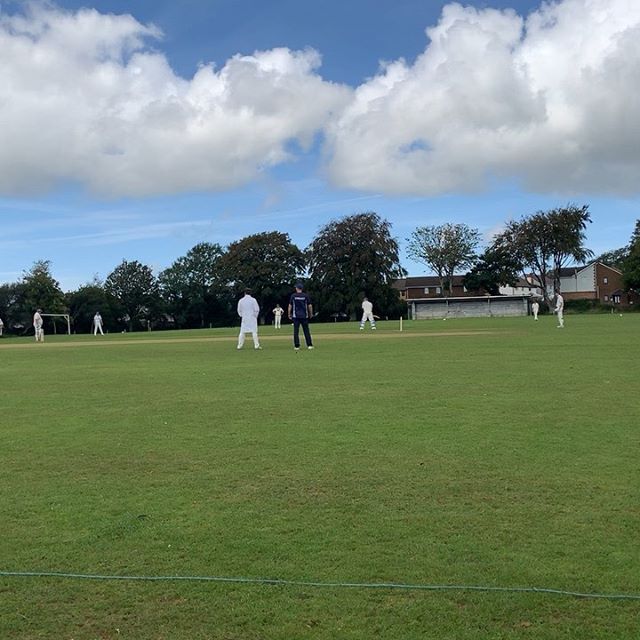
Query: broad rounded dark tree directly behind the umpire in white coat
[(267, 263)]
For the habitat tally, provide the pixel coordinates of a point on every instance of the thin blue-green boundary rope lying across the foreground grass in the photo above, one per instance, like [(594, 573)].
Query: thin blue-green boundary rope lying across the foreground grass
[(305, 583)]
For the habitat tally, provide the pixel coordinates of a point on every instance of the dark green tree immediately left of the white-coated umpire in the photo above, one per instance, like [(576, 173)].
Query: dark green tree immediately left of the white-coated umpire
[(193, 290)]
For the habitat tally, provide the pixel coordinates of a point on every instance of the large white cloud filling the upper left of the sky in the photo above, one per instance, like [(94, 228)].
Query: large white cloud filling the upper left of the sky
[(83, 99)]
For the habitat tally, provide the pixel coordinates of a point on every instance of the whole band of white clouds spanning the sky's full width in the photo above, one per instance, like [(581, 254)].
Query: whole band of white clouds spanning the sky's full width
[(549, 100)]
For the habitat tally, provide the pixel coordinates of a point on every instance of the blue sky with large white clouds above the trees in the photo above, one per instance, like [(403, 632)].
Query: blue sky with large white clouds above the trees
[(135, 130)]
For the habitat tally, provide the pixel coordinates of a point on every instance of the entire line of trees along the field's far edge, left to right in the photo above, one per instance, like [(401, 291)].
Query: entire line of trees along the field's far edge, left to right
[(349, 258)]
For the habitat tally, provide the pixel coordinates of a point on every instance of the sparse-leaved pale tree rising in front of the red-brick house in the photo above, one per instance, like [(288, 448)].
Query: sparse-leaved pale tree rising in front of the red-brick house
[(445, 249)]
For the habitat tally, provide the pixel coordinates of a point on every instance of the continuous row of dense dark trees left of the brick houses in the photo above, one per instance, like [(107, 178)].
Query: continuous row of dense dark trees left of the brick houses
[(348, 259)]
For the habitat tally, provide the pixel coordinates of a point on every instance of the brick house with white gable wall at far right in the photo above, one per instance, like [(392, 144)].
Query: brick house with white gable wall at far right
[(595, 281)]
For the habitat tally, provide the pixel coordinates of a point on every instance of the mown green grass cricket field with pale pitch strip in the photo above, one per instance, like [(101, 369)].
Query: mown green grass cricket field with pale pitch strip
[(498, 453)]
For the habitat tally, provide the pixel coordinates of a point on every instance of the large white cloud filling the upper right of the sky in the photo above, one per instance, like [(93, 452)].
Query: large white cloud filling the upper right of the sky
[(550, 101)]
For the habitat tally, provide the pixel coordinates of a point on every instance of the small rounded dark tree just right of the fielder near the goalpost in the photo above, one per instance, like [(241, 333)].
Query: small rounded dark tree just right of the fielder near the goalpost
[(135, 288)]
